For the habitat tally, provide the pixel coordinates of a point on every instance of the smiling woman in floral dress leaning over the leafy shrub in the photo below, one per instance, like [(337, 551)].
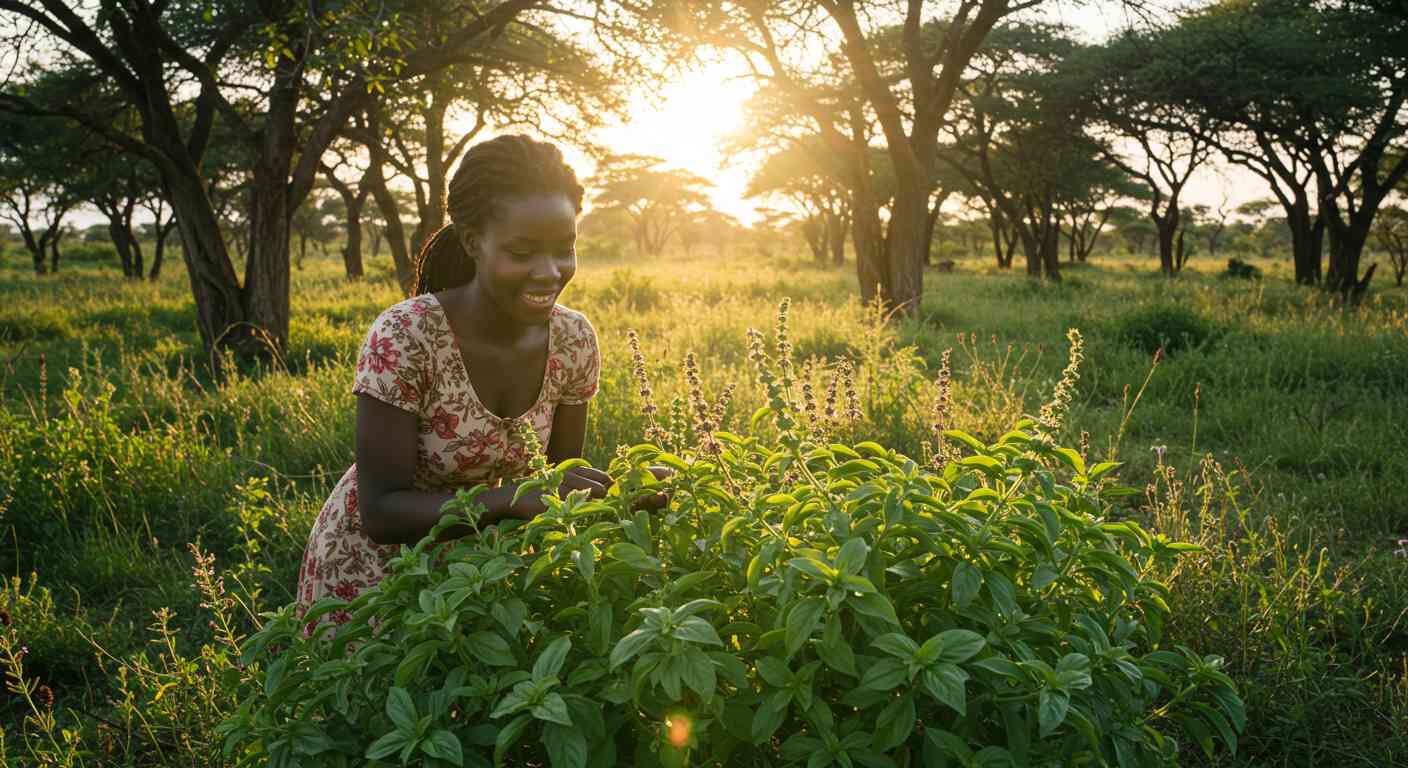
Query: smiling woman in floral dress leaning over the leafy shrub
[(447, 376)]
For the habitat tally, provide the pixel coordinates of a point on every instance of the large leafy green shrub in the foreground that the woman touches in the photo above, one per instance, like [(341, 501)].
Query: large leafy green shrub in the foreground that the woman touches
[(799, 602)]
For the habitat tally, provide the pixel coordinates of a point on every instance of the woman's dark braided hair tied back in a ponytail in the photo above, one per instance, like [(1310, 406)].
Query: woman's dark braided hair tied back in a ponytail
[(492, 171)]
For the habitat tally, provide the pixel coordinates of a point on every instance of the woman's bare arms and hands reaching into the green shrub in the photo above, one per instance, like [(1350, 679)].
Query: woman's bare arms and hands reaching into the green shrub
[(395, 512)]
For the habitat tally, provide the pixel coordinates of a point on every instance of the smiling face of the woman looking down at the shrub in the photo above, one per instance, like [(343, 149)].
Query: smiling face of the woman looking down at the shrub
[(527, 256)]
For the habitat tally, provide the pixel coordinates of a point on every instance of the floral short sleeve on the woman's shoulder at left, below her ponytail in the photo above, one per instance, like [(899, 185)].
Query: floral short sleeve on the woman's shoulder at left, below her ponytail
[(392, 363)]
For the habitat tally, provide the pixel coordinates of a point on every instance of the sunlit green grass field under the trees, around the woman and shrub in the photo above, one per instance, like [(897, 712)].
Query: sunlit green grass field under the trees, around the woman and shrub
[(1271, 431)]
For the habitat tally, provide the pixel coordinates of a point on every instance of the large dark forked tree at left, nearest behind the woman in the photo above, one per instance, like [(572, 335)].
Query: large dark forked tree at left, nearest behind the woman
[(161, 54)]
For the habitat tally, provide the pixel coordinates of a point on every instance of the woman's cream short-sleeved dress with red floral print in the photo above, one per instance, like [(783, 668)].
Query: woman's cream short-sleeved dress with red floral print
[(410, 360)]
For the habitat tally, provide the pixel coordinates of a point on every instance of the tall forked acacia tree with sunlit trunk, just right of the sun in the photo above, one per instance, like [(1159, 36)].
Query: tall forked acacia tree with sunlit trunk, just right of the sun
[(906, 78)]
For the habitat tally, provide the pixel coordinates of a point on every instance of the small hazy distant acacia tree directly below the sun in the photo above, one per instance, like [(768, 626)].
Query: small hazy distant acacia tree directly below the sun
[(658, 201)]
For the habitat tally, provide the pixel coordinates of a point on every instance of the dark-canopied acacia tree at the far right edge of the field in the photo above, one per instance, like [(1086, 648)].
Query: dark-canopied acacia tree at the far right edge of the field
[(1310, 97)]
